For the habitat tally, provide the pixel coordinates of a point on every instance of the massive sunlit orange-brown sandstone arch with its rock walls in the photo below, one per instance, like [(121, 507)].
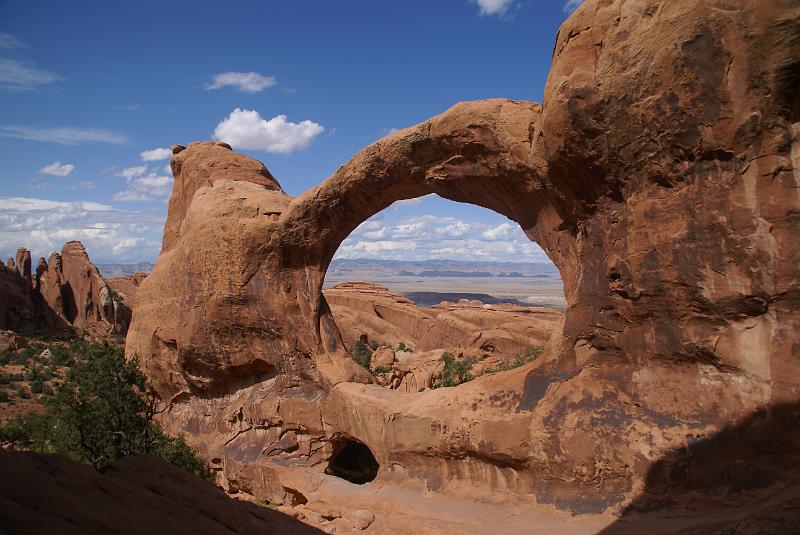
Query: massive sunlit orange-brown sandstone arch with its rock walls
[(660, 175)]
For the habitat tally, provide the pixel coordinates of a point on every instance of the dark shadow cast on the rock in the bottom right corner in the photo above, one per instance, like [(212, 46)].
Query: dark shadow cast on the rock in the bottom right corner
[(744, 479)]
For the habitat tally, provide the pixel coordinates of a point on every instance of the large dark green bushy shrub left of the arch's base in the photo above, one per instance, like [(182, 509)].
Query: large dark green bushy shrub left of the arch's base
[(101, 412)]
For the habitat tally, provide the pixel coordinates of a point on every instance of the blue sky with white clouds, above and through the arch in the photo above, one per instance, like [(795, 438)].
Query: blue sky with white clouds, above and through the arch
[(89, 91)]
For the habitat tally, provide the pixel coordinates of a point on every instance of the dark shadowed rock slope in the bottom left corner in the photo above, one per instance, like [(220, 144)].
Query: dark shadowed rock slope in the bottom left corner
[(135, 495)]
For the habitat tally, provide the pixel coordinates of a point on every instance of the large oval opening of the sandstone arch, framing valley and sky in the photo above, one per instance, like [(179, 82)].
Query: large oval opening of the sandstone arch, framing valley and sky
[(433, 293)]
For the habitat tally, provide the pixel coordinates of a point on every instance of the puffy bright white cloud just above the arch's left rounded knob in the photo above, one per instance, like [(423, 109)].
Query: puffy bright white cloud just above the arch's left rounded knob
[(246, 129)]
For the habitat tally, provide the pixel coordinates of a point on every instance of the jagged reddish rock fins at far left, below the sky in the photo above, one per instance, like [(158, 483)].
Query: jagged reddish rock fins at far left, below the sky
[(65, 290)]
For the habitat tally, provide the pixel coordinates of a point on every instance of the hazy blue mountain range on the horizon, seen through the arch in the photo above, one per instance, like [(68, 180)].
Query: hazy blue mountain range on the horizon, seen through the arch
[(360, 268)]
